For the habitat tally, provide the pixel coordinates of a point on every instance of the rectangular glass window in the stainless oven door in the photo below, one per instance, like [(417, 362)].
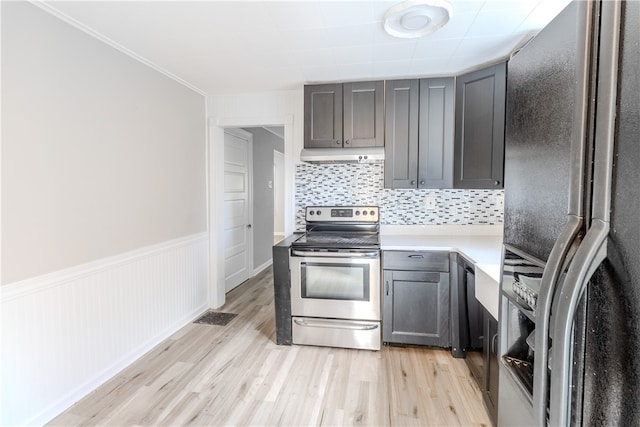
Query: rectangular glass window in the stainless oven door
[(335, 281)]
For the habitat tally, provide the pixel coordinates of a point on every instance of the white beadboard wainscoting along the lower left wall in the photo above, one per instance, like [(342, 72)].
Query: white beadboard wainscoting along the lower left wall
[(64, 334)]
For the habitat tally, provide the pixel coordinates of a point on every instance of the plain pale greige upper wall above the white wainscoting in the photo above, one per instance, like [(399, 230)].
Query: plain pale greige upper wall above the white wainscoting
[(101, 154)]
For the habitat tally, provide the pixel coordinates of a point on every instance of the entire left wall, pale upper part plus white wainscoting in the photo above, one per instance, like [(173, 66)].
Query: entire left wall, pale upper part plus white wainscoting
[(104, 215)]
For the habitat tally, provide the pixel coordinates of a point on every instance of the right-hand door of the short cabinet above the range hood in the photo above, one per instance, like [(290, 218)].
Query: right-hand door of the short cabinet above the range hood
[(363, 114)]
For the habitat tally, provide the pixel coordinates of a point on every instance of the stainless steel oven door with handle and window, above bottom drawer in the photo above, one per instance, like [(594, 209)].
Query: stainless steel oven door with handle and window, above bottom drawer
[(336, 285)]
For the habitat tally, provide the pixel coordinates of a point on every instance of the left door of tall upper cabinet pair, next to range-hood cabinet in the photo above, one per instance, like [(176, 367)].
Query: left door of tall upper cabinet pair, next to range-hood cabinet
[(401, 134)]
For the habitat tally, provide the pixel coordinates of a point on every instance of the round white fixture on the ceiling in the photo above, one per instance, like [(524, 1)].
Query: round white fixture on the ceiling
[(417, 18)]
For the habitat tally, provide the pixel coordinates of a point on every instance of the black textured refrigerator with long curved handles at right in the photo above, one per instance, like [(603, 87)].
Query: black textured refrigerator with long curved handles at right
[(570, 289)]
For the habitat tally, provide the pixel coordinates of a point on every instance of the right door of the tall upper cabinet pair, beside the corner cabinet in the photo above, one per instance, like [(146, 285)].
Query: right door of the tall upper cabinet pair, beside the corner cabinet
[(435, 148)]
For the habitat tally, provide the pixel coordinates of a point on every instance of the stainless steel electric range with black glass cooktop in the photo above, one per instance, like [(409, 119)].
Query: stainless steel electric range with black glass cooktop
[(335, 278)]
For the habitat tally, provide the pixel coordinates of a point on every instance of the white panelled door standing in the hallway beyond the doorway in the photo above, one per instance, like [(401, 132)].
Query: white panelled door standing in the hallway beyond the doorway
[(237, 209)]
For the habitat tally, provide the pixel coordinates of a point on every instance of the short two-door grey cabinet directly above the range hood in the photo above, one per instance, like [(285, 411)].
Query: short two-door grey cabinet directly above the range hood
[(344, 115)]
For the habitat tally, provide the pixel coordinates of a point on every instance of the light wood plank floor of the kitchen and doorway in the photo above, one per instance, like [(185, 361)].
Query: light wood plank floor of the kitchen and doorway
[(237, 375)]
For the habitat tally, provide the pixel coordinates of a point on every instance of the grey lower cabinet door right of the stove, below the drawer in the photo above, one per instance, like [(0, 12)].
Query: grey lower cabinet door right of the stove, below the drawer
[(416, 308)]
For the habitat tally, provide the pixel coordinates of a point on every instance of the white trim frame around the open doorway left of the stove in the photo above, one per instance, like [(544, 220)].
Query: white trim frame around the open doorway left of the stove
[(215, 189)]
